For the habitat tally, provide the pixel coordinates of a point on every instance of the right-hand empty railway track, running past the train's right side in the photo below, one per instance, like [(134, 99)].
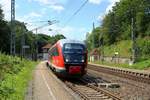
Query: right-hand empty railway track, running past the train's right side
[(133, 75)]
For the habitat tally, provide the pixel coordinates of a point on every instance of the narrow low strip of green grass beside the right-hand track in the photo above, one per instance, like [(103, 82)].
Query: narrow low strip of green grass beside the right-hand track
[(139, 65)]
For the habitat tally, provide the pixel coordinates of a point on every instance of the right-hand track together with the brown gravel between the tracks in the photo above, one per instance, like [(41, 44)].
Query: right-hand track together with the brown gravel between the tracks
[(132, 86)]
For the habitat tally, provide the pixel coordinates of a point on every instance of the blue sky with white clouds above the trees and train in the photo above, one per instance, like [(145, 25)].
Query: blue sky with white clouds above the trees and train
[(36, 13)]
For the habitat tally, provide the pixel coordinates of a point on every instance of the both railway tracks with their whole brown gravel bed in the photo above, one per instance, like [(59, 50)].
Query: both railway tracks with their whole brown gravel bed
[(95, 85)]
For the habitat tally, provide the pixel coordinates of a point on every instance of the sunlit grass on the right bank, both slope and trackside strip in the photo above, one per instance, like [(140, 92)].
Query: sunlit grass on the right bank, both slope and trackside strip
[(124, 50)]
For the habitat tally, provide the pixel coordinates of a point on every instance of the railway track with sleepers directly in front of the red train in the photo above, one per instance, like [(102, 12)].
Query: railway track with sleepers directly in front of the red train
[(88, 89)]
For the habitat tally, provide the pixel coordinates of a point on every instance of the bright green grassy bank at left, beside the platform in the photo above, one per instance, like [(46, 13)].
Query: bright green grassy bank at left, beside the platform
[(15, 77)]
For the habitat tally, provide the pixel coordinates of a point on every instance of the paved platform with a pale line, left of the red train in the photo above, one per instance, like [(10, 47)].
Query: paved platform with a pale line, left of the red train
[(46, 86)]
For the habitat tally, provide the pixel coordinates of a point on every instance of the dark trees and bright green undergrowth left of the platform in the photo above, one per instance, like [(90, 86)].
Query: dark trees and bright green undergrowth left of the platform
[(16, 72)]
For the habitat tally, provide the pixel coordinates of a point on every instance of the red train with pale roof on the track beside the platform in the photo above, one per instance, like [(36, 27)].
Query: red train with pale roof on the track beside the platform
[(68, 58)]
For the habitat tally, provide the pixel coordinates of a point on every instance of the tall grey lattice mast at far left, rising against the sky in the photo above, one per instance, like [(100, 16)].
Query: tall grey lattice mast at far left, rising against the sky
[(13, 35)]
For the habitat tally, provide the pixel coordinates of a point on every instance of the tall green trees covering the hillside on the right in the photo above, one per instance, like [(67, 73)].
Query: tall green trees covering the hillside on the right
[(116, 26)]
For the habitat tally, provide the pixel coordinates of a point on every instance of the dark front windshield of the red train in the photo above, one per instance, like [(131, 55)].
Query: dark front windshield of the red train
[(74, 53)]
